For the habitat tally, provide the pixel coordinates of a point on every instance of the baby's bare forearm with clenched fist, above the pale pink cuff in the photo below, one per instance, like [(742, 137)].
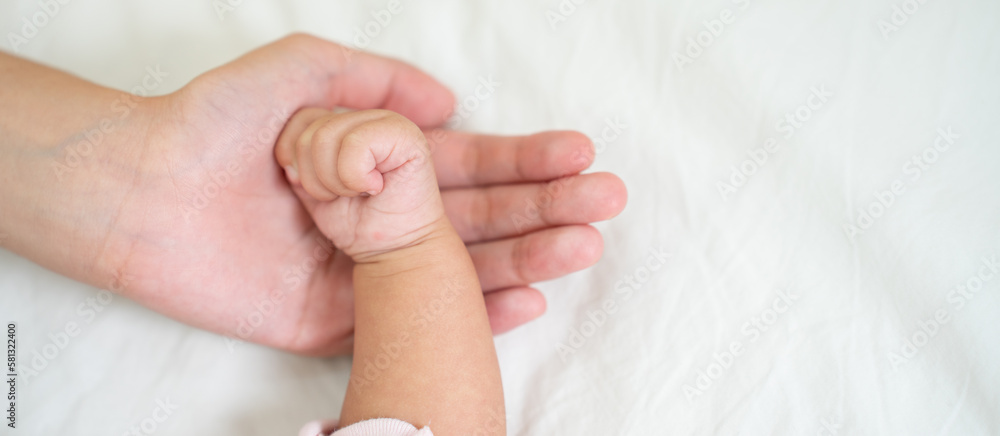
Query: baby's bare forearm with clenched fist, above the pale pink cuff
[(423, 349)]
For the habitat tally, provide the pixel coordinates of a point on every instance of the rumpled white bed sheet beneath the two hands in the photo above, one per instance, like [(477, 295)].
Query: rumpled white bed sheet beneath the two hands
[(845, 306)]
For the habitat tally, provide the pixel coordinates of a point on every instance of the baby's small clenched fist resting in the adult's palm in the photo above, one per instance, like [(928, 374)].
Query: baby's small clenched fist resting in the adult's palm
[(366, 176)]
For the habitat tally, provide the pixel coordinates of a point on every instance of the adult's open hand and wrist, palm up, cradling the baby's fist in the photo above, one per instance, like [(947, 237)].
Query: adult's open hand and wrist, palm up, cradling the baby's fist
[(183, 208)]
